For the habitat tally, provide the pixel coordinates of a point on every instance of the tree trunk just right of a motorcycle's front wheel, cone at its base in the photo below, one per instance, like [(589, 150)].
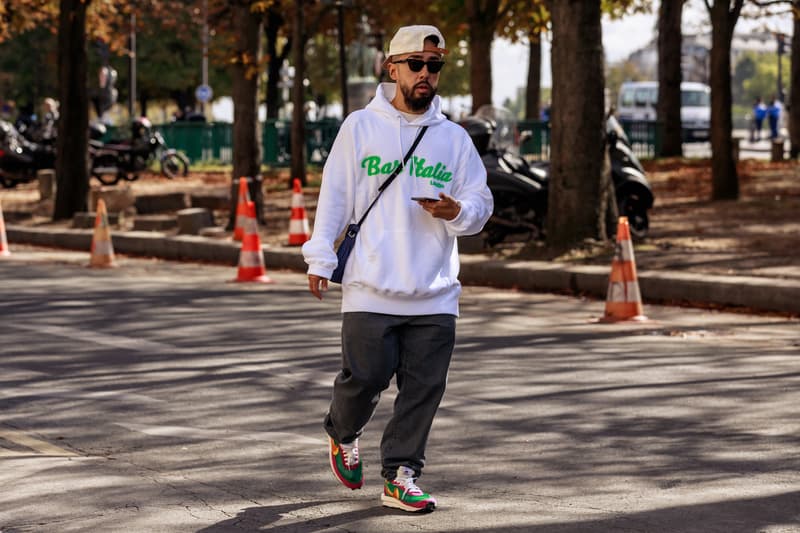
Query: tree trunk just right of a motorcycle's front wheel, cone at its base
[(244, 78)]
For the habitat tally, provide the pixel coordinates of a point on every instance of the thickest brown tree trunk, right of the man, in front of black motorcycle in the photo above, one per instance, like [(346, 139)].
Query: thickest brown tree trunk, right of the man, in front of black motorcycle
[(576, 209)]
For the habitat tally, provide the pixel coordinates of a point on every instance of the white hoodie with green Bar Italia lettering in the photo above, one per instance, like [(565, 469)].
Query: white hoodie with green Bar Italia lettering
[(405, 262)]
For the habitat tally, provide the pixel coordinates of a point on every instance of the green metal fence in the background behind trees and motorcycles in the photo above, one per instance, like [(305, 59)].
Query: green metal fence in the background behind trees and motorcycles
[(214, 141)]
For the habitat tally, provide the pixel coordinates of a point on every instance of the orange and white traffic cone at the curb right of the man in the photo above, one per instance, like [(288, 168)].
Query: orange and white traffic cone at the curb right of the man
[(623, 302)]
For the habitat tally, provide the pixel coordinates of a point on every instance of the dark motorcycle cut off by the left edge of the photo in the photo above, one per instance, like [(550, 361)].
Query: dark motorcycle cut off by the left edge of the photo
[(20, 158)]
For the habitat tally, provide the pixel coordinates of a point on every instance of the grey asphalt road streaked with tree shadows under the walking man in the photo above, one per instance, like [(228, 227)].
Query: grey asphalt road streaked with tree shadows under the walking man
[(160, 396)]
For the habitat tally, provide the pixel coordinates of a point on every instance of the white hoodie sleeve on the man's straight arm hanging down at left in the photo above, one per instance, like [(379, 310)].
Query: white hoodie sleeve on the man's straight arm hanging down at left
[(335, 205)]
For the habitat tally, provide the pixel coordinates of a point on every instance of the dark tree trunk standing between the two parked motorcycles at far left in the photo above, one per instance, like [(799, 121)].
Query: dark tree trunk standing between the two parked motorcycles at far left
[(72, 165)]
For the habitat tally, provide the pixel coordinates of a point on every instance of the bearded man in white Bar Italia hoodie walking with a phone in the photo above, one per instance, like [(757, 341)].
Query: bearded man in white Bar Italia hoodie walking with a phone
[(400, 287)]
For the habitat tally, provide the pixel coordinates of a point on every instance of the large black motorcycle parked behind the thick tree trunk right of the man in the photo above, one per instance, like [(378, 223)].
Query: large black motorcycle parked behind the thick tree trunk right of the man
[(520, 188)]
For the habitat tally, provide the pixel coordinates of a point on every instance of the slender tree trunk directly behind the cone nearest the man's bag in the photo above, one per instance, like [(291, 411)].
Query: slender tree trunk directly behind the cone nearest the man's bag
[(298, 131)]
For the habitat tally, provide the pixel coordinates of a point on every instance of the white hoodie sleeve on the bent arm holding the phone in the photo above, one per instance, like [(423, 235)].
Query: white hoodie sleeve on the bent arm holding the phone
[(472, 193)]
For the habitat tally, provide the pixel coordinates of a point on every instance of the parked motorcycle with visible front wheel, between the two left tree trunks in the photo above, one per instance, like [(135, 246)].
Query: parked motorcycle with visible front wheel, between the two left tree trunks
[(124, 160)]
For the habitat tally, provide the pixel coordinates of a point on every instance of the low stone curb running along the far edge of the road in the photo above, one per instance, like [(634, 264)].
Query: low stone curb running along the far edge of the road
[(753, 293)]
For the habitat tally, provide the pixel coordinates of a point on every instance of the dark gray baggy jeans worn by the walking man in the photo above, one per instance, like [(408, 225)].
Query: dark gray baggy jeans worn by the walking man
[(374, 348)]
